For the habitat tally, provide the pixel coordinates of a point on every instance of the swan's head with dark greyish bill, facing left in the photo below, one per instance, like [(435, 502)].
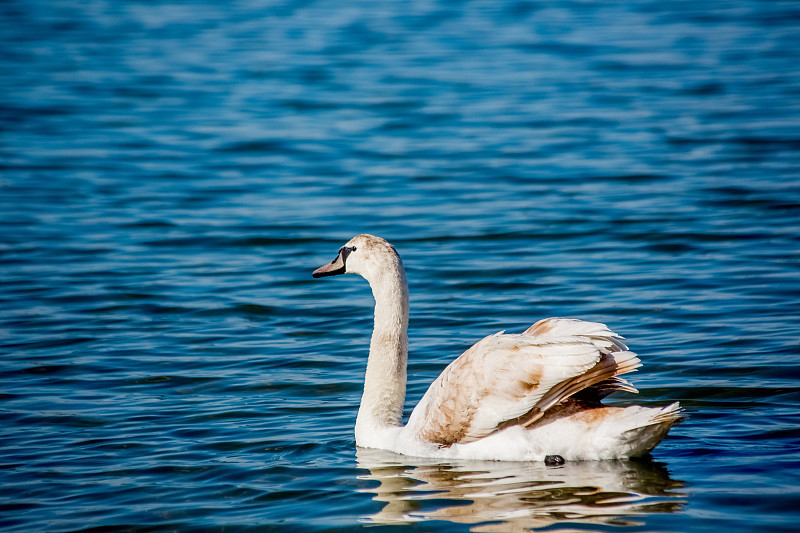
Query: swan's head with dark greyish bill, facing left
[(366, 255)]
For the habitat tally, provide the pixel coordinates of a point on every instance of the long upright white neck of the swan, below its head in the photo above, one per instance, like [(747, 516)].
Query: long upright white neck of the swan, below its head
[(385, 380)]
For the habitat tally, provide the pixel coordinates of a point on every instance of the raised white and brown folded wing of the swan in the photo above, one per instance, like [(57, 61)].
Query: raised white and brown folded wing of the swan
[(512, 379)]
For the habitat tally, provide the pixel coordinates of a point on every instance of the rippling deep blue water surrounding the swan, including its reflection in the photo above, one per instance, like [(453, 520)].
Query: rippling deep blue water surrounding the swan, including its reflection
[(173, 172)]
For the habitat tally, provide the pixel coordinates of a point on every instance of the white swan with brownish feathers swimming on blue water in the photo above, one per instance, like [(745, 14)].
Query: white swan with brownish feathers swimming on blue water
[(530, 396)]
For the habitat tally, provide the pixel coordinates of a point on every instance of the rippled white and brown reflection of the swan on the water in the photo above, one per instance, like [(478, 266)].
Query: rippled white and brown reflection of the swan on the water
[(503, 496)]
